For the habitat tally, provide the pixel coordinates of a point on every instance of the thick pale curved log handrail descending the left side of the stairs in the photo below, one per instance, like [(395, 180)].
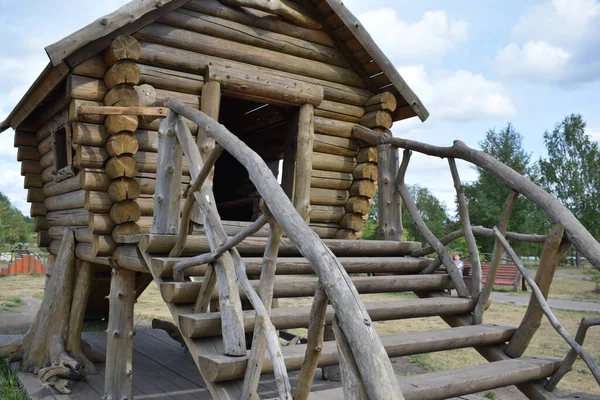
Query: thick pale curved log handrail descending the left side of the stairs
[(375, 367)]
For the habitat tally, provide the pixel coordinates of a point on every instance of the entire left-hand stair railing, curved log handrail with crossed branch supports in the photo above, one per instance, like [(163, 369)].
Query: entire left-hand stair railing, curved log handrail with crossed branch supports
[(364, 352)]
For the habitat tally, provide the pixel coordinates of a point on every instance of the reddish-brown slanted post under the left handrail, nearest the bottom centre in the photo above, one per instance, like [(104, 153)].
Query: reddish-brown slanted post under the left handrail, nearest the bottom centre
[(316, 329)]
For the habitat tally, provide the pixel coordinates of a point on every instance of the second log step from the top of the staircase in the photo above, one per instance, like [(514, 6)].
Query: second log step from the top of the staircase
[(163, 266)]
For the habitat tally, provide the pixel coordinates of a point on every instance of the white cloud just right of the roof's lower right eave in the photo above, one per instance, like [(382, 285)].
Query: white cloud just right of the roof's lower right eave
[(459, 95)]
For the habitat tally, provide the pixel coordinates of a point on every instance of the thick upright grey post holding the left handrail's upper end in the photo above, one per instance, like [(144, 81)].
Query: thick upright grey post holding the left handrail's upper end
[(167, 196)]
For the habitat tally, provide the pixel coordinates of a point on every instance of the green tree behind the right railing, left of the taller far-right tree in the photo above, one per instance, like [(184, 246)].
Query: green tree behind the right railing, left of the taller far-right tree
[(486, 196)]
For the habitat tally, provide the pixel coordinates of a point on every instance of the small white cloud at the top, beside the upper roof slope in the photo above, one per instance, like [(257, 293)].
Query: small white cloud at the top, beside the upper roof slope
[(434, 35)]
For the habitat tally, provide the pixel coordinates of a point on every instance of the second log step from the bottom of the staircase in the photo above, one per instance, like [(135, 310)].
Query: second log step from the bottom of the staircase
[(218, 367)]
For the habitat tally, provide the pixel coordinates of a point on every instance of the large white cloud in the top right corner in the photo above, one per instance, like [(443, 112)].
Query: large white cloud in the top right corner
[(556, 41)]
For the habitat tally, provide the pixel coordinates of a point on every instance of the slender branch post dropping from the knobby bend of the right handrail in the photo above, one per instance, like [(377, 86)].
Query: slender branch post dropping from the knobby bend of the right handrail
[(463, 210)]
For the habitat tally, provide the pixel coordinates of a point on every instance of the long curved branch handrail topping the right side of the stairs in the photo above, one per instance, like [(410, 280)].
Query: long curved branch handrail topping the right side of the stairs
[(558, 213)]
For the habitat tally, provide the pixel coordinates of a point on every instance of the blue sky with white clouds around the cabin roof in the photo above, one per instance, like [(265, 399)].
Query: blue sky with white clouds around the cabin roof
[(476, 65)]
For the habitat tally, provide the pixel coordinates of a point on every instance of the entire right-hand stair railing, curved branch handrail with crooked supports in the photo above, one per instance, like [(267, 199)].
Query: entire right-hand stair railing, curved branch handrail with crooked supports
[(566, 231)]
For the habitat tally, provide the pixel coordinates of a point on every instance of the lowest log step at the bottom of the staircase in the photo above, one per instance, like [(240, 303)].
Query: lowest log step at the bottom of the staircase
[(477, 378)]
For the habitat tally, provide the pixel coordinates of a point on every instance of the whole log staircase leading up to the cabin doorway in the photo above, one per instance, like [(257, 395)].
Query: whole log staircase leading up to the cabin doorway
[(224, 374)]
